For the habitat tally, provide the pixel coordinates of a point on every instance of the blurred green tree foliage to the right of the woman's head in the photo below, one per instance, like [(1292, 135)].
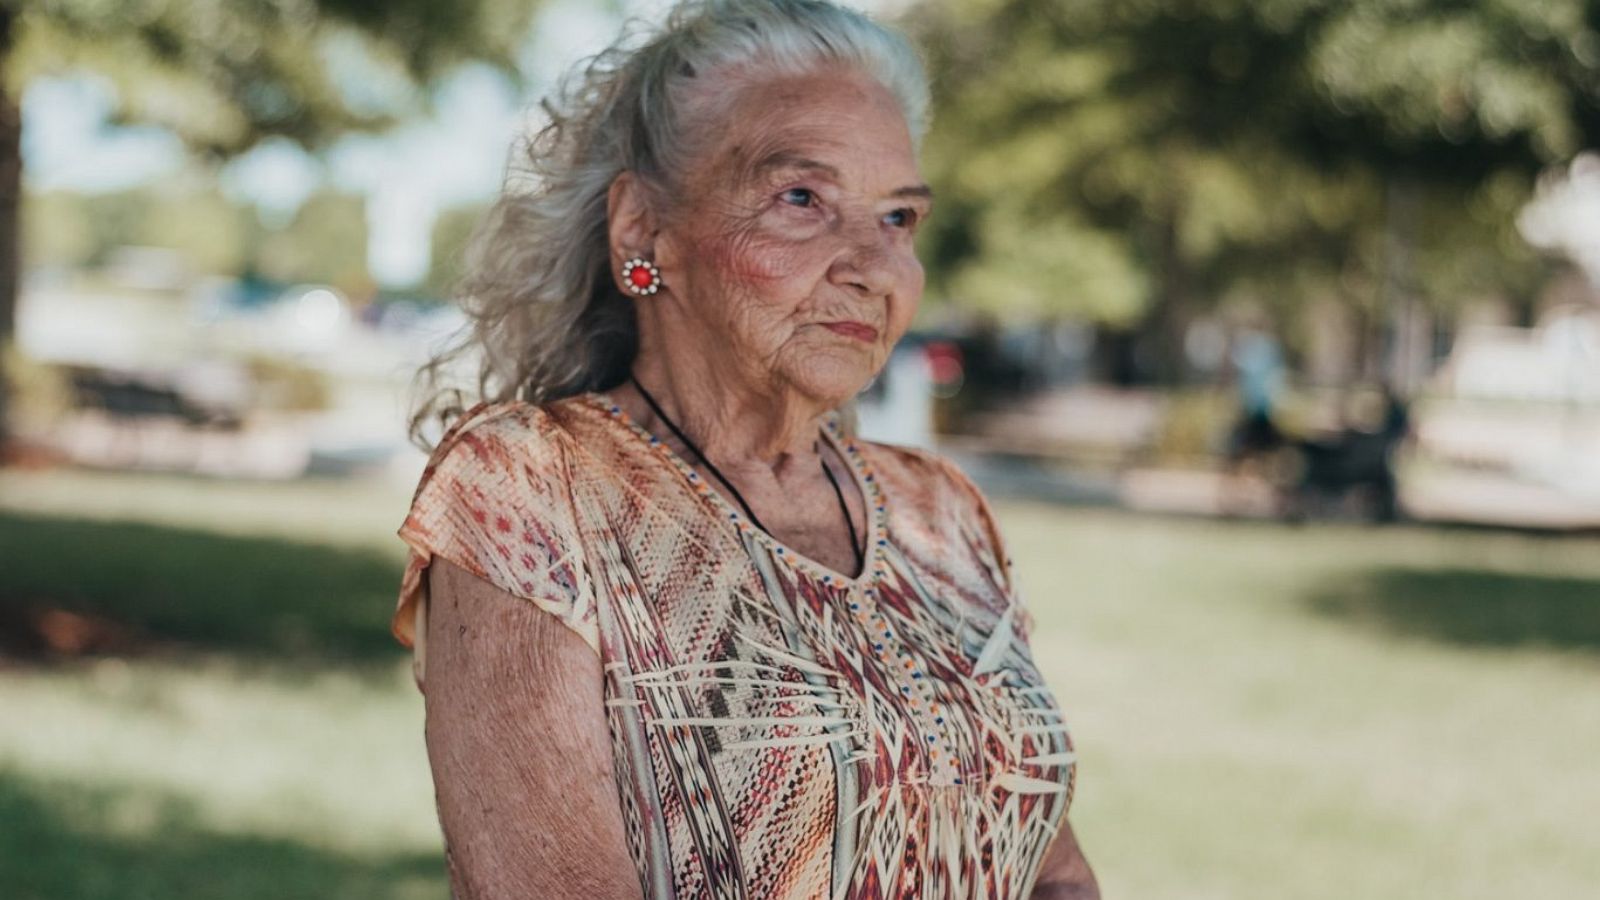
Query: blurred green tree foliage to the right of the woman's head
[(1271, 150)]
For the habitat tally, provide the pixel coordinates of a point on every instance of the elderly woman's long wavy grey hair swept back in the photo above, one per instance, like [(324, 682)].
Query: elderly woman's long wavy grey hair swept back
[(542, 308)]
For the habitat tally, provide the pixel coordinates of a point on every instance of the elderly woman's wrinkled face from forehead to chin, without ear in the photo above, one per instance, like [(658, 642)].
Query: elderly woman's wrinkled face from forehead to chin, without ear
[(794, 249)]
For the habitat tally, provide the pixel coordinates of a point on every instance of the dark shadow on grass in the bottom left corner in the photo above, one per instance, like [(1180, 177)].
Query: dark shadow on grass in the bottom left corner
[(71, 843)]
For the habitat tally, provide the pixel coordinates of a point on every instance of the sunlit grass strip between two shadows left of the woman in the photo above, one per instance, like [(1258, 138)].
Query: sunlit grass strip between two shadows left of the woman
[(314, 753)]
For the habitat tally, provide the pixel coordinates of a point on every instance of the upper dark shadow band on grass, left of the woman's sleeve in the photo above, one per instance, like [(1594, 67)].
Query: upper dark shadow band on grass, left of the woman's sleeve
[(167, 585)]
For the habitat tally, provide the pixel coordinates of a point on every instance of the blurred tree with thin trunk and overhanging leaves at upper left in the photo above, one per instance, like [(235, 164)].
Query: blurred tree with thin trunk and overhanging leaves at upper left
[(228, 74)]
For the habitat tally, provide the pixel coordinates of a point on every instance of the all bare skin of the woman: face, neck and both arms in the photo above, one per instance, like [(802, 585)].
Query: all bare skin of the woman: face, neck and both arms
[(756, 260)]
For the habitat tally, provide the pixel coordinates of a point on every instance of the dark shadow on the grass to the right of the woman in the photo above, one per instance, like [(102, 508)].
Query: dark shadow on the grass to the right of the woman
[(1471, 608)]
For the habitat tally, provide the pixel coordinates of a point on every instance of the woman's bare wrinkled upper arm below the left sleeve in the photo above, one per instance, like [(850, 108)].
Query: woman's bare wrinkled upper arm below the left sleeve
[(521, 749)]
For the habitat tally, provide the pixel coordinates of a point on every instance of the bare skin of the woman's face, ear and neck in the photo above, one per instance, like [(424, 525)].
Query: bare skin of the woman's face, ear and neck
[(758, 257)]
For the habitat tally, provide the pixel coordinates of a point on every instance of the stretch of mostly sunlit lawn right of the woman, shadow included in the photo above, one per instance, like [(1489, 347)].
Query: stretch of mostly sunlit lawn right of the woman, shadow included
[(1241, 742)]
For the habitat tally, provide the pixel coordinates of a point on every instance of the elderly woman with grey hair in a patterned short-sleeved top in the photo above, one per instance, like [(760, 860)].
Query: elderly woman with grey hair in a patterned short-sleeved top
[(679, 632)]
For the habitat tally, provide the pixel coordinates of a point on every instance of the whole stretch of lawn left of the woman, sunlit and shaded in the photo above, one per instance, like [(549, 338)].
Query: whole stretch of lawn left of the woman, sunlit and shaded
[(258, 737)]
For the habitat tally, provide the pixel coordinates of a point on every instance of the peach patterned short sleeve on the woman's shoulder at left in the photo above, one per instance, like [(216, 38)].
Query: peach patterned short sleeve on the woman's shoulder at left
[(497, 500)]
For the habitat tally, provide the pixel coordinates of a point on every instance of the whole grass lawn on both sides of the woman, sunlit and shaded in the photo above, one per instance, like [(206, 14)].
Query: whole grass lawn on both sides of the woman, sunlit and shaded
[(1260, 712)]
